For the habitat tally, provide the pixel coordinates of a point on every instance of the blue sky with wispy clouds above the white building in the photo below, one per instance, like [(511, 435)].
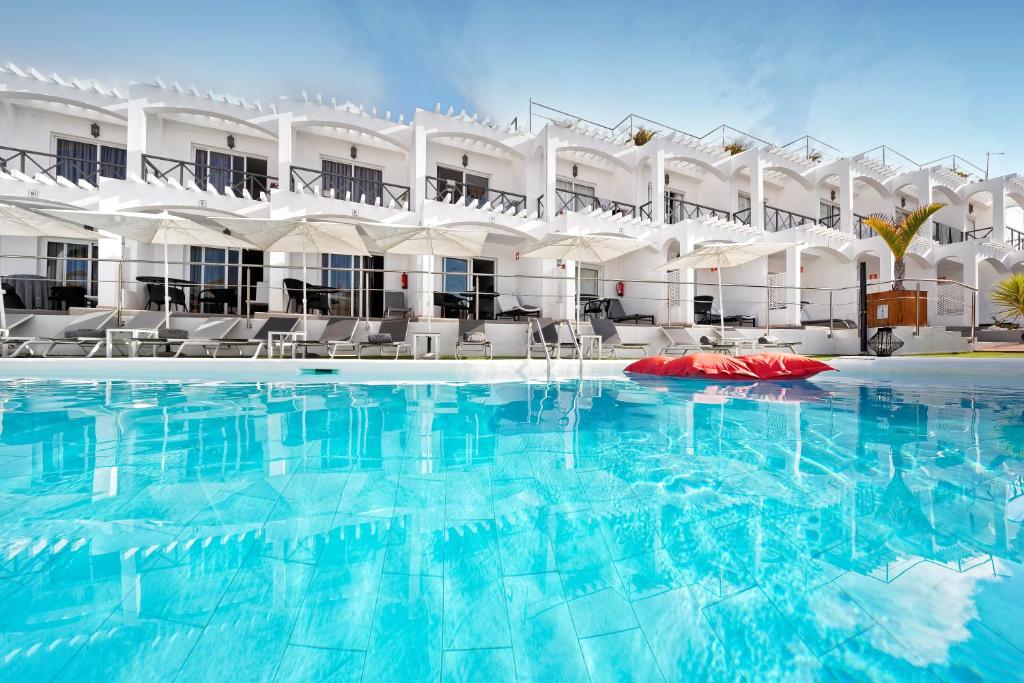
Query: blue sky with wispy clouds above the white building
[(928, 79)]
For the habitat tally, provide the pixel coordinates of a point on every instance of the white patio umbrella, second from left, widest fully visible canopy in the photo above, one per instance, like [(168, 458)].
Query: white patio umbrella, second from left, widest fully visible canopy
[(162, 229)]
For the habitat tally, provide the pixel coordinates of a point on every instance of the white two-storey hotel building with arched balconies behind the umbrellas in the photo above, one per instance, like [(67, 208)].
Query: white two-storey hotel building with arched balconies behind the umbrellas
[(156, 147)]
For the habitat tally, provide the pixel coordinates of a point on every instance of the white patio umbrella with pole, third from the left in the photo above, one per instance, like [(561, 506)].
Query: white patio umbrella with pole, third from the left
[(297, 236)]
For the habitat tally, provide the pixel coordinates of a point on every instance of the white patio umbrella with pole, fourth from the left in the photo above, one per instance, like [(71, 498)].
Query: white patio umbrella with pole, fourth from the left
[(441, 240)]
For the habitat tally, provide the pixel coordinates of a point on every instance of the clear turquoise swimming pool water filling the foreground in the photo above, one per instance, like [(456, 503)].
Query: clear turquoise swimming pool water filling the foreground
[(599, 531)]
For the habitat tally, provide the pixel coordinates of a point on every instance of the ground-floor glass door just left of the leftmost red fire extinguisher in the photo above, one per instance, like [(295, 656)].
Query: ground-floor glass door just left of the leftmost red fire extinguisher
[(360, 281)]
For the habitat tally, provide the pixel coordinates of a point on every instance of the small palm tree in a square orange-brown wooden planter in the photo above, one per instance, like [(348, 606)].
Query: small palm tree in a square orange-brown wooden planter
[(894, 308)]
